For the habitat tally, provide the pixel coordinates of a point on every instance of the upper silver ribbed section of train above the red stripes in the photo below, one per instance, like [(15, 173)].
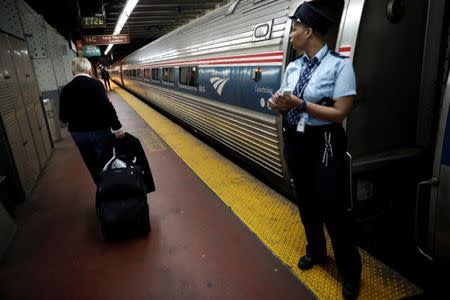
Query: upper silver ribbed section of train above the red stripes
[(245, 26)]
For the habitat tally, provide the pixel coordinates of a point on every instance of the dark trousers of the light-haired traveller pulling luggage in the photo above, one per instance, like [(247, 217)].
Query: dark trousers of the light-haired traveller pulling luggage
[(95, 149)]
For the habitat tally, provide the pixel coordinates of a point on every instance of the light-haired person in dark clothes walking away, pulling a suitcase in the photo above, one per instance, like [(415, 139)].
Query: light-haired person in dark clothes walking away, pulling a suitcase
[(85, 107)]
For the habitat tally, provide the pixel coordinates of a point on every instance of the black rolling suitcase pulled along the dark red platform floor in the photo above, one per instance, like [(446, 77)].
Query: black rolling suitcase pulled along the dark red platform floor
[(122, 200)]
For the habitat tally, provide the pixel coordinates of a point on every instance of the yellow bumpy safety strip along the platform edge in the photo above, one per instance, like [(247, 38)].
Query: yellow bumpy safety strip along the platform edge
[(273, 218)]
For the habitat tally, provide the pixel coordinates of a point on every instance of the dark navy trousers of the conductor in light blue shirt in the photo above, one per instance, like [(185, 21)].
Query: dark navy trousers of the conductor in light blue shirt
[(317, 162)]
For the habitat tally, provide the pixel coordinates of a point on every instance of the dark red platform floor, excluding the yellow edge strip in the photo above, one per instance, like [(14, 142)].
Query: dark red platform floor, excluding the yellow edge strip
[(197, 248)]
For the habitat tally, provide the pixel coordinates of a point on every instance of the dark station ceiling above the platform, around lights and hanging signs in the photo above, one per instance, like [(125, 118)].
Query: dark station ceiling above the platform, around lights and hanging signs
[(149, 20)]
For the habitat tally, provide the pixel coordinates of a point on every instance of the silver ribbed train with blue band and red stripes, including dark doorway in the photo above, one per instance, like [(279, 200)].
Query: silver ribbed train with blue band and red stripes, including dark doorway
[(216, 74)]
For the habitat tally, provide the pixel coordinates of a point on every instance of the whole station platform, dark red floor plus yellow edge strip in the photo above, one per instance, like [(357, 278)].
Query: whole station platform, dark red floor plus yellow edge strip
[(217, 232)]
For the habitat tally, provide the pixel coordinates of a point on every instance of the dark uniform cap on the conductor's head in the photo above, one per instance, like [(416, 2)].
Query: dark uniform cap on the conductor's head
[(312, 17)]
